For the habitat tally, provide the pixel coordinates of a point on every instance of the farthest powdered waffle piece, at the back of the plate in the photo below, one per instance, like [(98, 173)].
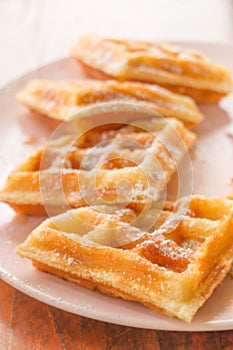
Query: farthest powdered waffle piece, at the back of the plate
[(183, 71)]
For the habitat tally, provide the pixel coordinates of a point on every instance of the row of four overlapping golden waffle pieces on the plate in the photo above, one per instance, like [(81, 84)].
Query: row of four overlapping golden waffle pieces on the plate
[(116, 232)]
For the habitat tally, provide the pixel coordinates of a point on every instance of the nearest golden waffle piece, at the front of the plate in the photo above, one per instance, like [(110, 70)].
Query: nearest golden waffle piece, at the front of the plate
[(171, 269)]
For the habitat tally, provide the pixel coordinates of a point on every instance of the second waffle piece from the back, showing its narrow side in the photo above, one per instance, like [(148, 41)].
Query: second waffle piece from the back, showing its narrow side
[(62, 99)]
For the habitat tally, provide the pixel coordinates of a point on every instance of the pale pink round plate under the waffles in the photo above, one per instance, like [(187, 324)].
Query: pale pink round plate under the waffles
[(21, 132)]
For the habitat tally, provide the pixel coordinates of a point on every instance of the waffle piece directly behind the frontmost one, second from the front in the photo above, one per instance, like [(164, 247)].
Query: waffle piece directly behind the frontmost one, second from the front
[(129, 166)]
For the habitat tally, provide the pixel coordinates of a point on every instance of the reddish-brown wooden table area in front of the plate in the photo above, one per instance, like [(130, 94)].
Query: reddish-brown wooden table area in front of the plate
[(27, 324)]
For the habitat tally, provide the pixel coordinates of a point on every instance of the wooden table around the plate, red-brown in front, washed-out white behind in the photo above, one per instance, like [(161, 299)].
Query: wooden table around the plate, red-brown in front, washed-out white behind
[(33, 33)]
